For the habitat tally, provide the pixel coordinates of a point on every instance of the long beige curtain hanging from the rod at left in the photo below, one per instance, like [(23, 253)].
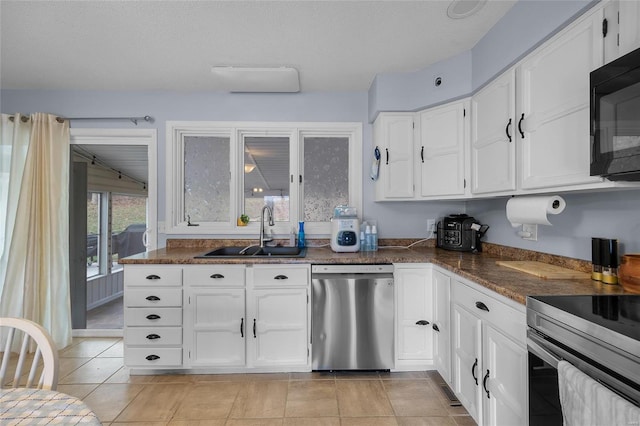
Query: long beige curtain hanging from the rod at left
[(36, 255)]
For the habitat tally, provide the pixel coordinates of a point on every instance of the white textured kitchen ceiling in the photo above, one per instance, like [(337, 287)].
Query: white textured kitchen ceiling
[(172, 45)]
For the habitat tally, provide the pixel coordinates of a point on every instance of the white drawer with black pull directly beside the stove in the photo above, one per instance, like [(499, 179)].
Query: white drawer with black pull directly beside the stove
[(505, 318)]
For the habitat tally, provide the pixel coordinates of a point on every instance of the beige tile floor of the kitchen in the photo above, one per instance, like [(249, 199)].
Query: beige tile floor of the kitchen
[(92, 369)]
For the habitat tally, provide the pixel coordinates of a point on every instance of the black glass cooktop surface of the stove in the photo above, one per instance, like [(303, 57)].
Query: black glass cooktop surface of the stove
[(619, 313)]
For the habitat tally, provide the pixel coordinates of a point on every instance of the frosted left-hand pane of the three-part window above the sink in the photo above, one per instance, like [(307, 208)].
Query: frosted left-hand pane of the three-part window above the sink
[(207, 194)]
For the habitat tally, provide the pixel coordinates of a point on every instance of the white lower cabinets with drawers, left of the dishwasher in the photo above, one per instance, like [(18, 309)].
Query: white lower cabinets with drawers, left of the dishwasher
[(218, 318)]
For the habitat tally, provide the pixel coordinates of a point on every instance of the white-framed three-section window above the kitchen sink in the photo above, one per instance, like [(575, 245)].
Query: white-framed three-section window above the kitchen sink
[(218, 171)]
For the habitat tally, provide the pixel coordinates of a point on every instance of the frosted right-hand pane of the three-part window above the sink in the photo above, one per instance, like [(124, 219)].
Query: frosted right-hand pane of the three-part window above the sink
[(326, 176)]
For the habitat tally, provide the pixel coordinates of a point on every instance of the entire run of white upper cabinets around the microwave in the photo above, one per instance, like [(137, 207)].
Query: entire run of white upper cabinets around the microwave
[(525, 132)]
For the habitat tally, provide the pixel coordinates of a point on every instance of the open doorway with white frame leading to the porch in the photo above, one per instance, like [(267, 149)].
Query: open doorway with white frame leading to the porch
[(113, 214)]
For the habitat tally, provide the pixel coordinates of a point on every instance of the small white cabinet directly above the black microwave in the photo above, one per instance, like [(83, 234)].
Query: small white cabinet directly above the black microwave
[(623, 28)]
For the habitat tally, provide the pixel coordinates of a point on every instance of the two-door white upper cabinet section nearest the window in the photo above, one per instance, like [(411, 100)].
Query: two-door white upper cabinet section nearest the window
[(423, 154)]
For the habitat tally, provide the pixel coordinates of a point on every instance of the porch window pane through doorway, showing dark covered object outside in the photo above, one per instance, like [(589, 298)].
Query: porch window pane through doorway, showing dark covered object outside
[(129, 217)]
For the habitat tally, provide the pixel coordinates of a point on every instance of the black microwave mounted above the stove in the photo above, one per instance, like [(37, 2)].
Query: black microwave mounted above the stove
[(615, 119)]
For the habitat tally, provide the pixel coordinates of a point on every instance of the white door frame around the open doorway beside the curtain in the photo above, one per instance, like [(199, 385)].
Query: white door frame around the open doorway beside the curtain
[(149, 138)]
